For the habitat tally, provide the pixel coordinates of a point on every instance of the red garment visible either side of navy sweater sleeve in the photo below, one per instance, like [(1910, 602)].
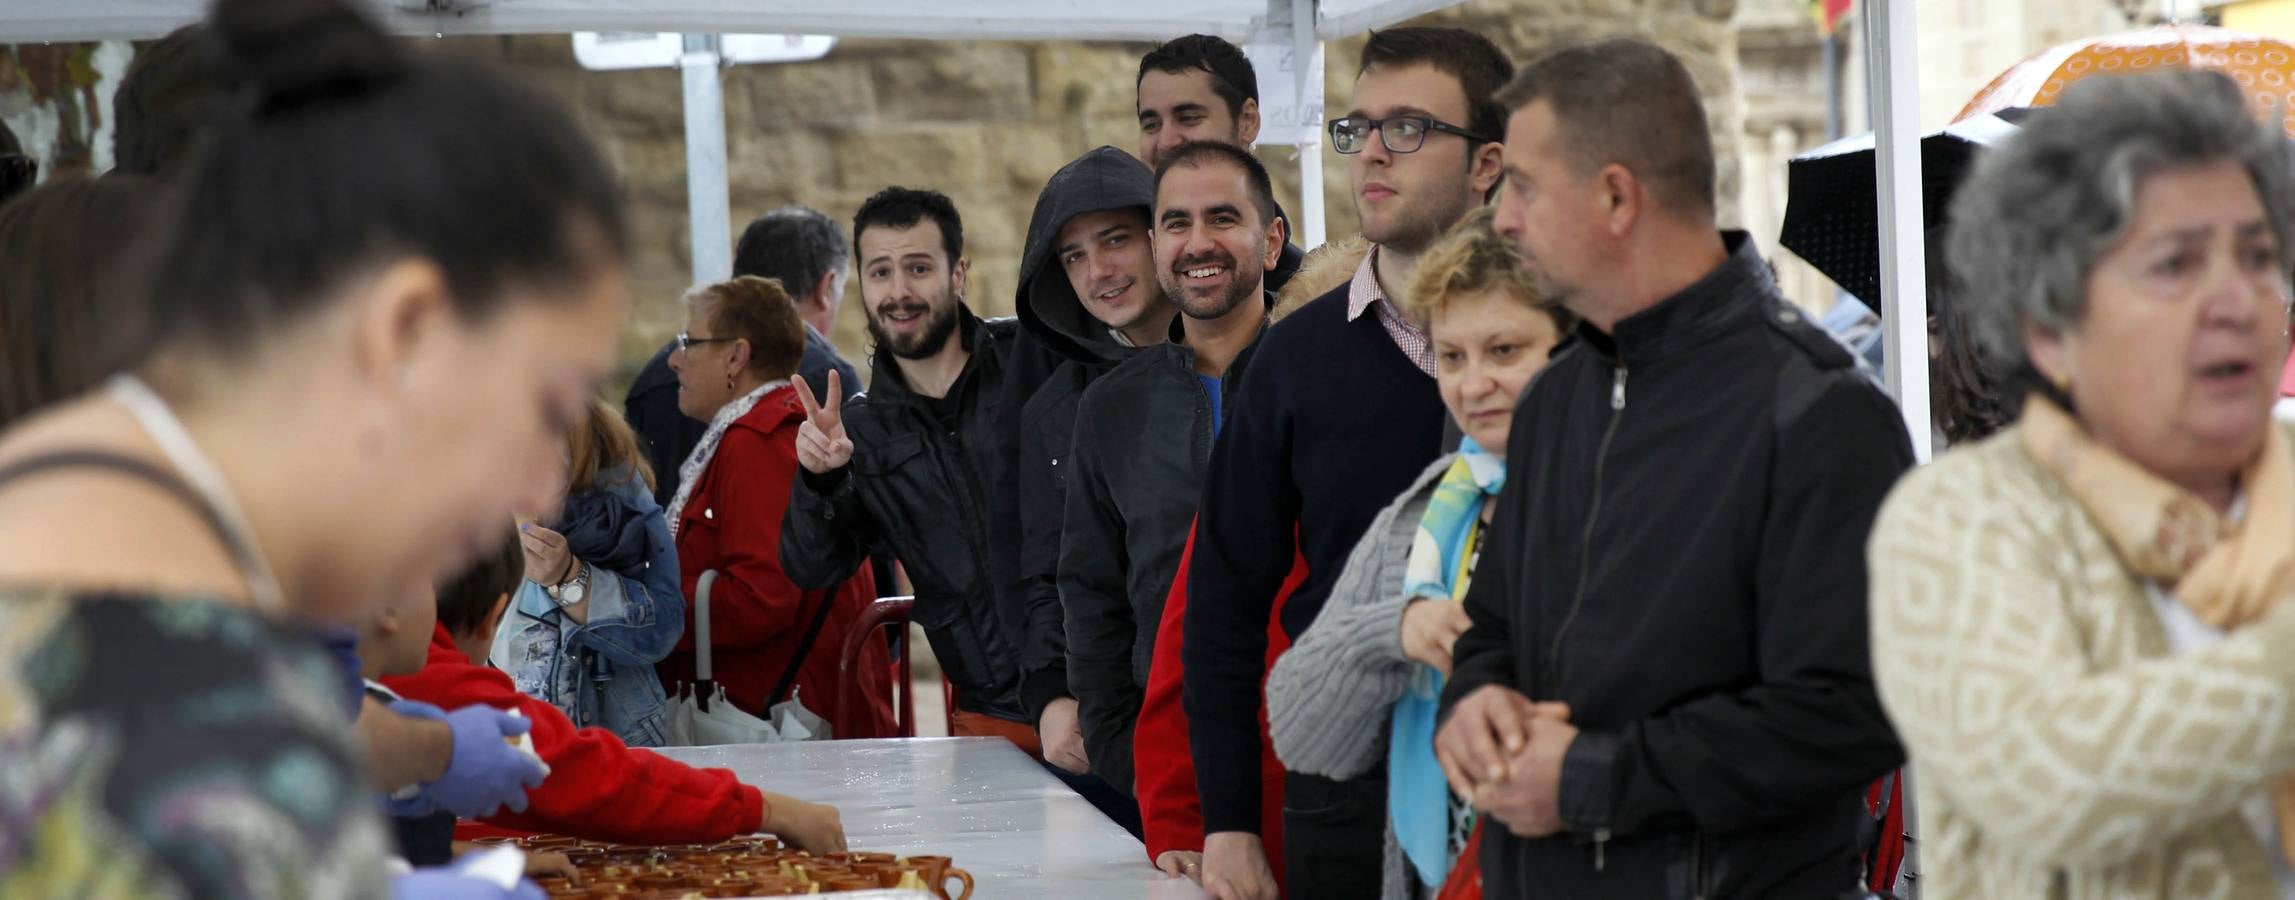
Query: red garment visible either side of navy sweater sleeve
[(1172, 812)]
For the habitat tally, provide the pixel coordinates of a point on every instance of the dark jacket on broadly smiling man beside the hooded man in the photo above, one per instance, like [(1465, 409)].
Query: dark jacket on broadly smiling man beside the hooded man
[(1144, 437)]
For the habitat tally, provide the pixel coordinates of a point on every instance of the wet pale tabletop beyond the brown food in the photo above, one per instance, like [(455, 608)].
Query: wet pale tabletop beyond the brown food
[(977, 800)]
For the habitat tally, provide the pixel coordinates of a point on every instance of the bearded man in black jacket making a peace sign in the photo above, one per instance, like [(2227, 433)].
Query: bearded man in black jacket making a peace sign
[(924, 463)]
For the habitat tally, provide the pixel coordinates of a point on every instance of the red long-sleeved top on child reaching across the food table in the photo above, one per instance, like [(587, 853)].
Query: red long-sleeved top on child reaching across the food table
[(598, 789)]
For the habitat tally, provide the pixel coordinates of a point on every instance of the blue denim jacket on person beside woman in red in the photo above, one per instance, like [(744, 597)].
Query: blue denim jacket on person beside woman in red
[(602, 674)]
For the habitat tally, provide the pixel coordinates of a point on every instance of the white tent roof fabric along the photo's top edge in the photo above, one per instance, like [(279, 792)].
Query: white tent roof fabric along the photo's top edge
[(924, 20)]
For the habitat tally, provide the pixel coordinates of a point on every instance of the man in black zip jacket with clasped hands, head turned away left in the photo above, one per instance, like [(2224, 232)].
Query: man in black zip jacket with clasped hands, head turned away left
[(1679, 554)]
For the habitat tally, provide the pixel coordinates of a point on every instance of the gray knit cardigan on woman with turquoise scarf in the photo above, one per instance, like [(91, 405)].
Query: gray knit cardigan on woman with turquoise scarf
[(1332, 695)]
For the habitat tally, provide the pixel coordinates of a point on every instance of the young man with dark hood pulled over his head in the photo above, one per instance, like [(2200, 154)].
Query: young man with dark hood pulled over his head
[(1091, 297)]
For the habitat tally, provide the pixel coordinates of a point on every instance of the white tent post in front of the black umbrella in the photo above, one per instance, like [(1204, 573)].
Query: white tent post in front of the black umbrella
[(1897, 143)]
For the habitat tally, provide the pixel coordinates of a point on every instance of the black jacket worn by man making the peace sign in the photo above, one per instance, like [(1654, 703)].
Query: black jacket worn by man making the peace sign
[(942, 499)]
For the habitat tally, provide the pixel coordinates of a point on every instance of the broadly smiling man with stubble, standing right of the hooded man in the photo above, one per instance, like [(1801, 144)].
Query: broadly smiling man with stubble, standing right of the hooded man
[(1144, 435)]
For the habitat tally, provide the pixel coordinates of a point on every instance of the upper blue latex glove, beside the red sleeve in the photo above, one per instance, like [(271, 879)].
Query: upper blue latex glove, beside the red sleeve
[(483, 775)]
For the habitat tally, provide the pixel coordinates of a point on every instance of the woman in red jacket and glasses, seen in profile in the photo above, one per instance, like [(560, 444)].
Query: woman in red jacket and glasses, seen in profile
[(770, 639)]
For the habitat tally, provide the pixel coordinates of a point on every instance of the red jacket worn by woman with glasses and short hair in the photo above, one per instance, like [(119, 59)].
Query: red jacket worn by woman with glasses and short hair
[(756, 614)]
